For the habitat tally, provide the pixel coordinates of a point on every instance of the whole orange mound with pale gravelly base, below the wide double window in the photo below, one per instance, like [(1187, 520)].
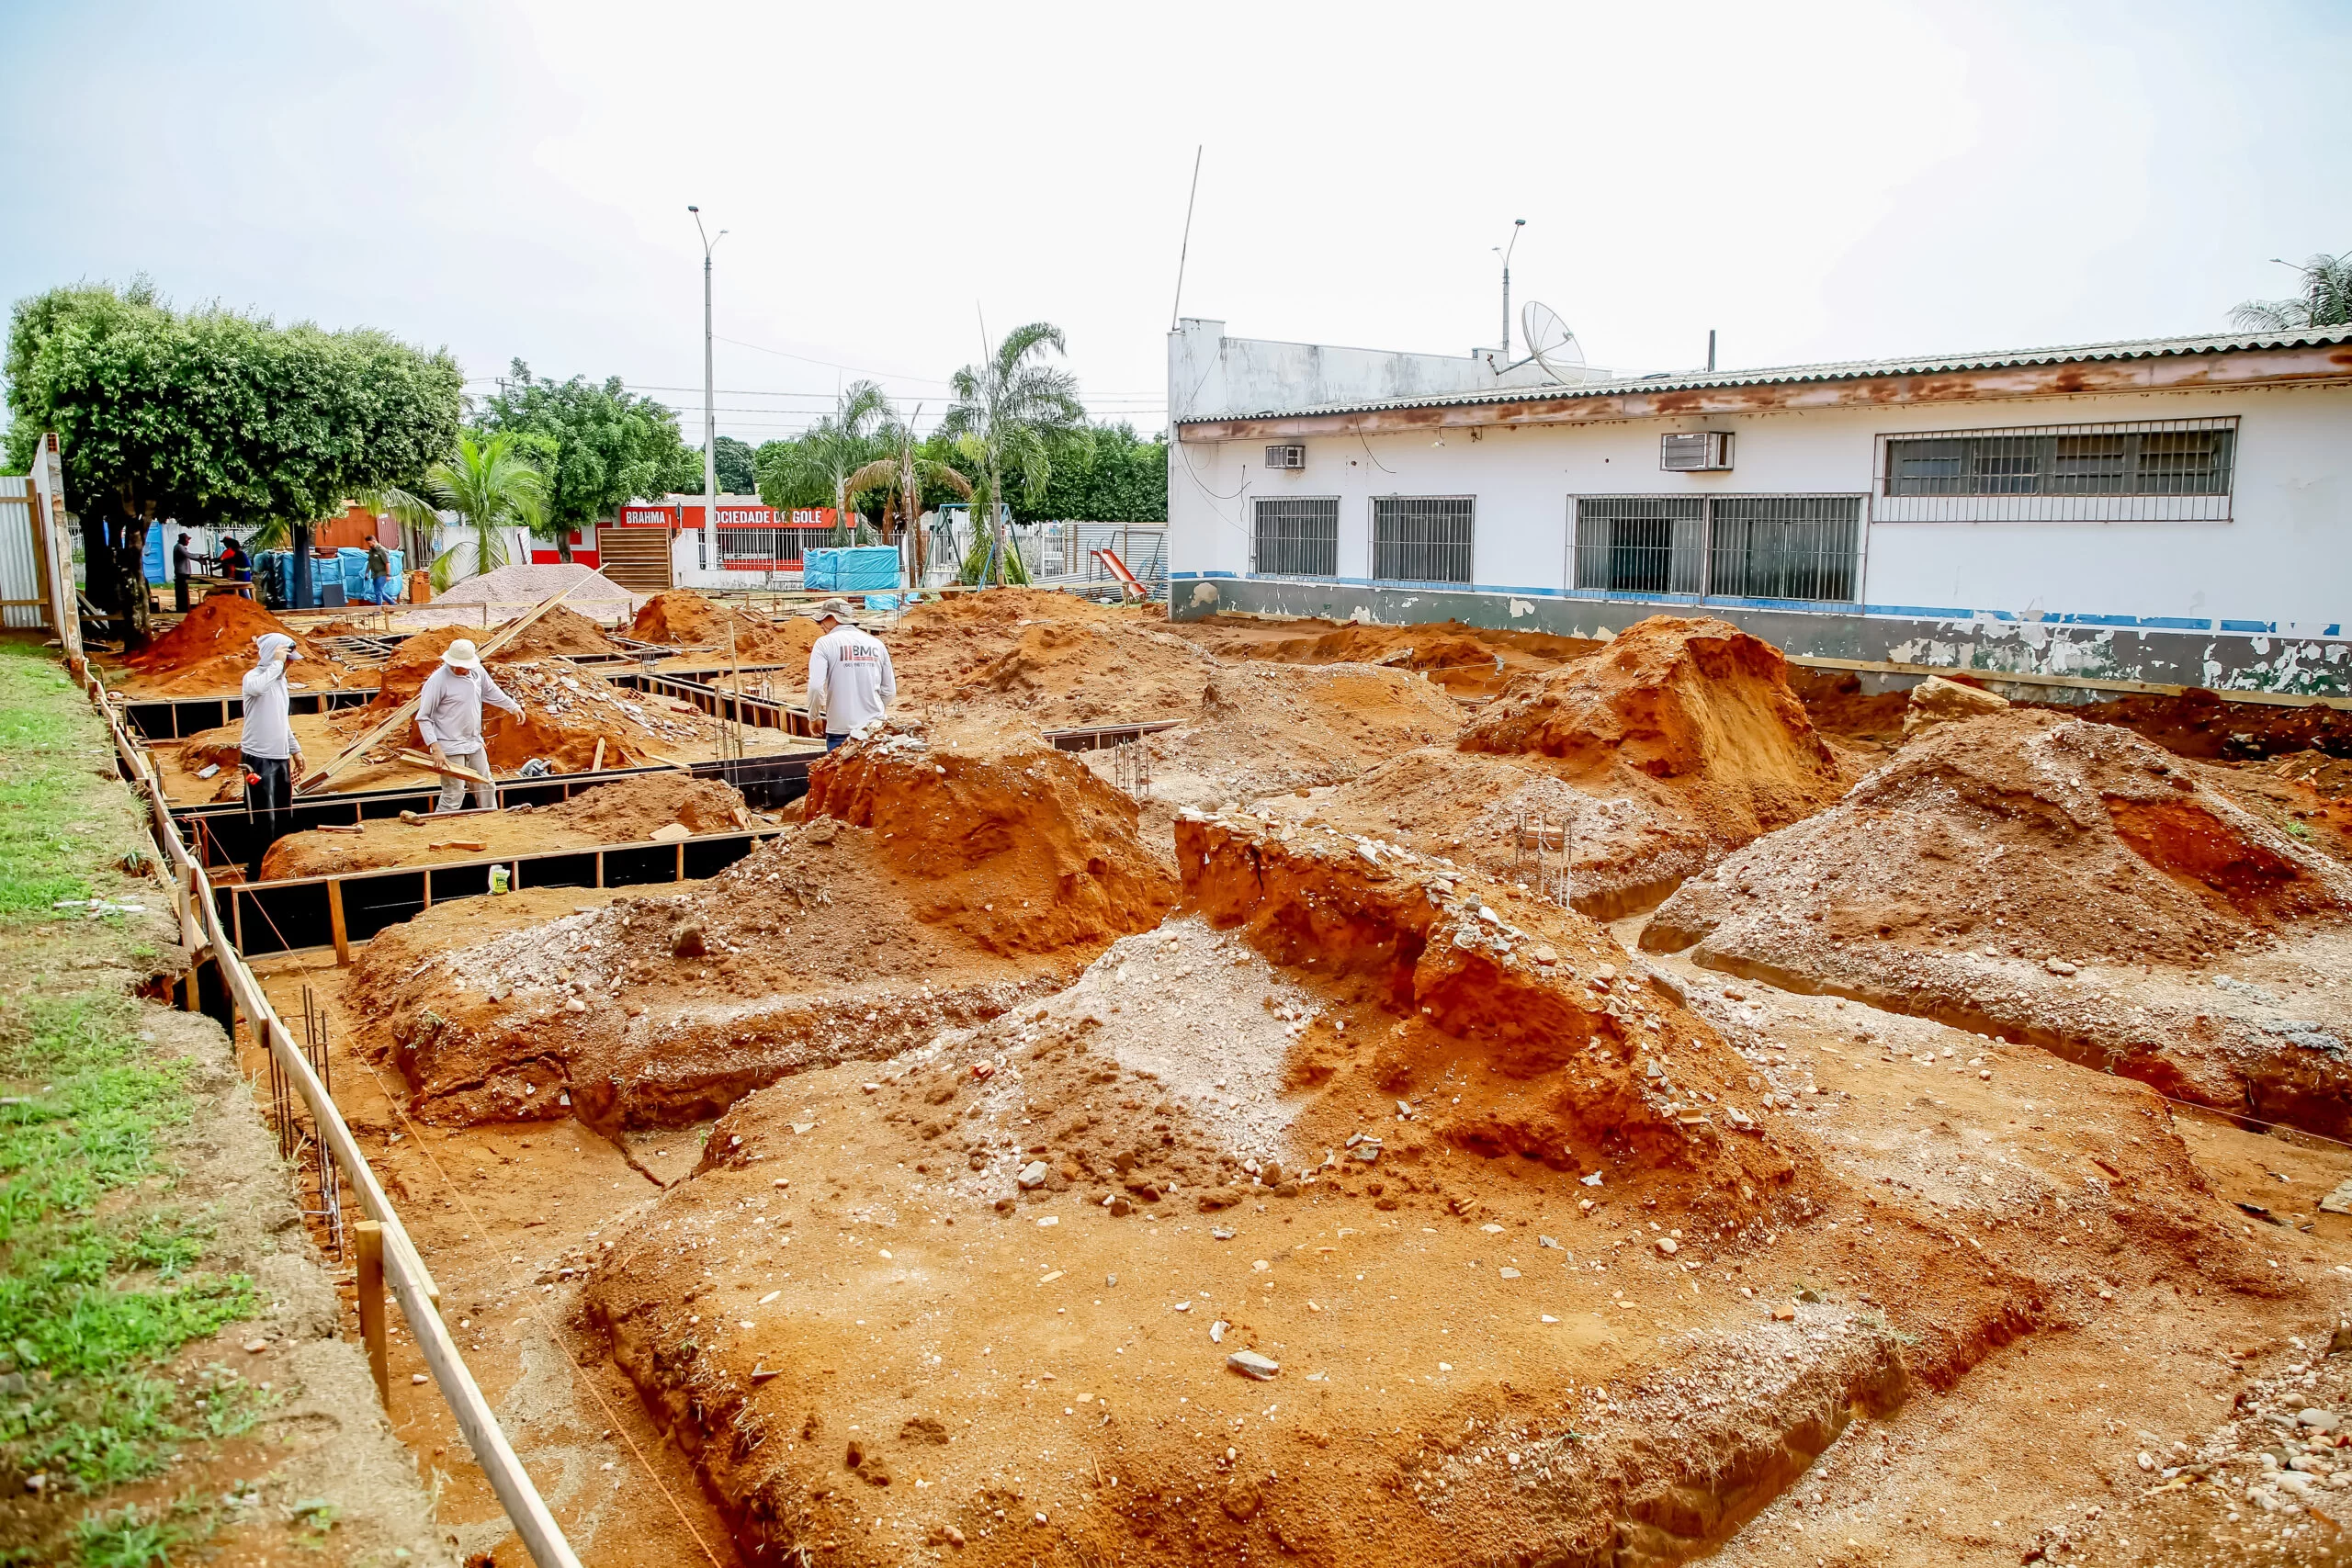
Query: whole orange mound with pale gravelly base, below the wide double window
[(1633, 768)]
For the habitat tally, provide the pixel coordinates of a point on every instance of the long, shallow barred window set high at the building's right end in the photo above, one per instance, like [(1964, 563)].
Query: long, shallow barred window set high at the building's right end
[(2094, 474)]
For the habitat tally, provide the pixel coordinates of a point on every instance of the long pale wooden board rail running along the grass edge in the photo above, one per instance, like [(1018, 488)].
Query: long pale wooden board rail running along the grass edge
[(403, 1266)]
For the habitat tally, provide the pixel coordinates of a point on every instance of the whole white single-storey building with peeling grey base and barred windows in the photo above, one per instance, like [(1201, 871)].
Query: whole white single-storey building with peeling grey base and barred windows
[(2167, 511)]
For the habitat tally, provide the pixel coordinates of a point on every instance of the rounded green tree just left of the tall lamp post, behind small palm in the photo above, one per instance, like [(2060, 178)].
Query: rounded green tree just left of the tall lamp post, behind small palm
[(608, 445)]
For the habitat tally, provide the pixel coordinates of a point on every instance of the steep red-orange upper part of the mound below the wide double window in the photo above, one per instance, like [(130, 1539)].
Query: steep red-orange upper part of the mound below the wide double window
[(1697, 704)]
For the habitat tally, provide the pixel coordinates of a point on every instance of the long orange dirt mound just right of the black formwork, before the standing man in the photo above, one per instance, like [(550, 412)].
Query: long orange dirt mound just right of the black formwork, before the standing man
[(968, 871)]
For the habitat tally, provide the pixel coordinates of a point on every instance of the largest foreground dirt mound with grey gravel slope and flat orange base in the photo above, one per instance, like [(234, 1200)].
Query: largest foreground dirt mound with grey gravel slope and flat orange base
[(1267, 1278)]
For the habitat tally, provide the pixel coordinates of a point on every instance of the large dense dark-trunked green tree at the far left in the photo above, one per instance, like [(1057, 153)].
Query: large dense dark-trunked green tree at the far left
[(213, 420)]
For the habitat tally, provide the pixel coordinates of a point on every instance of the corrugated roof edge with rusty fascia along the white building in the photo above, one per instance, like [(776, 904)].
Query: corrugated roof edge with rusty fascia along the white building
[(1850, 370)]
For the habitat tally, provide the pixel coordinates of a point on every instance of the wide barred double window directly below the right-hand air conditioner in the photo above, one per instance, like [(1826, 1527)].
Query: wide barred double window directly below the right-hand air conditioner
[(1728, 547)]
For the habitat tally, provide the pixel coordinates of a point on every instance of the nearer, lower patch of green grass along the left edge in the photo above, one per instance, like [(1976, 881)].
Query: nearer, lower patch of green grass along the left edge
[(95, 1296)]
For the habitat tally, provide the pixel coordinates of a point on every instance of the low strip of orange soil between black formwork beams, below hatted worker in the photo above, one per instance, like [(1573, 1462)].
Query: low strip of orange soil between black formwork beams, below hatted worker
[(624, 812)]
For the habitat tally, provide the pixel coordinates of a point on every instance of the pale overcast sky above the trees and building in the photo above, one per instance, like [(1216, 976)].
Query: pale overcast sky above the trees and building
[(1815, 182)]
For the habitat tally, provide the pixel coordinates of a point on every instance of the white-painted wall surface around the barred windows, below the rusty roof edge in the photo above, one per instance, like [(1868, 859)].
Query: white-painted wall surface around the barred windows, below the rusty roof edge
[(2285, 556)]
